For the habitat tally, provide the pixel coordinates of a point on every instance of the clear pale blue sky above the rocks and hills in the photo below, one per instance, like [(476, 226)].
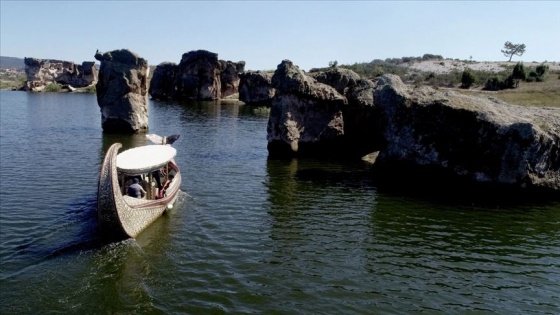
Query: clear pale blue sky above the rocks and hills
[(263, 33)]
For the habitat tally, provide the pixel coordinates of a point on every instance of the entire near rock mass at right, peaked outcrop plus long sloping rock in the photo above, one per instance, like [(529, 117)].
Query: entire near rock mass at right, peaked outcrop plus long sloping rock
[(478, 139)]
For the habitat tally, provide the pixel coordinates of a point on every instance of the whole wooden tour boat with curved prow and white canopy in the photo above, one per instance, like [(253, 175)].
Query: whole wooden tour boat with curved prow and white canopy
[(122, 216)]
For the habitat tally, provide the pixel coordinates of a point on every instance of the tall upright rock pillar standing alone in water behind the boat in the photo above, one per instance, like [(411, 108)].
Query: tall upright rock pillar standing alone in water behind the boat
[(122, 92)]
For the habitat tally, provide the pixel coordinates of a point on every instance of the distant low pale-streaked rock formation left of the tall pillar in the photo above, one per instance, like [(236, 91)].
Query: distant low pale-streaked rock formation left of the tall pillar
[(41, 73)]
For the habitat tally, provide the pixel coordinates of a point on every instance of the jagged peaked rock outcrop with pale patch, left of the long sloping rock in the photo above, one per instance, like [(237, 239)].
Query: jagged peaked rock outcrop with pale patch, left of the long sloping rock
[(305, 115)]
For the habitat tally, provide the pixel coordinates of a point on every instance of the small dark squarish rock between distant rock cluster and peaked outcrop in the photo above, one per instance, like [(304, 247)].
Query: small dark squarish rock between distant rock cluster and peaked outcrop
[(255, 88)]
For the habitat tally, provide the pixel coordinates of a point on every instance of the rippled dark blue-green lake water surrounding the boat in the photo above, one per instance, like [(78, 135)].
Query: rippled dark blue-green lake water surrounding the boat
[(249, 234)]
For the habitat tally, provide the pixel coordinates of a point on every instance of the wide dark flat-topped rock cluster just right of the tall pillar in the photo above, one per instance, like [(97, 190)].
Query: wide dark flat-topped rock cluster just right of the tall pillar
[(199, 76)]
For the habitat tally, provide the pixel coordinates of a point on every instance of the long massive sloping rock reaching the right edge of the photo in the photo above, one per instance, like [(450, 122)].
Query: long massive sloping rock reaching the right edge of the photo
[(481, 139)]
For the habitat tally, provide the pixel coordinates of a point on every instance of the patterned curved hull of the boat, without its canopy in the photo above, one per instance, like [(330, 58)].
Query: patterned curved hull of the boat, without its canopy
[(121, 217)]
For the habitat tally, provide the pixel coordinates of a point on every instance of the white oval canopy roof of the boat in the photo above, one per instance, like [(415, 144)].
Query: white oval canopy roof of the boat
[(145, 159)]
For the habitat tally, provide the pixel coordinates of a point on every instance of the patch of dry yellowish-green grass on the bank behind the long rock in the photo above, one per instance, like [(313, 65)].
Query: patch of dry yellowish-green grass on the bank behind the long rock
[(539, 94)]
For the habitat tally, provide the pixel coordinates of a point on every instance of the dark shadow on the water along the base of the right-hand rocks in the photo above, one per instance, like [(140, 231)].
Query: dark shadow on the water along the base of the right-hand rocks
[(427, 185)]
